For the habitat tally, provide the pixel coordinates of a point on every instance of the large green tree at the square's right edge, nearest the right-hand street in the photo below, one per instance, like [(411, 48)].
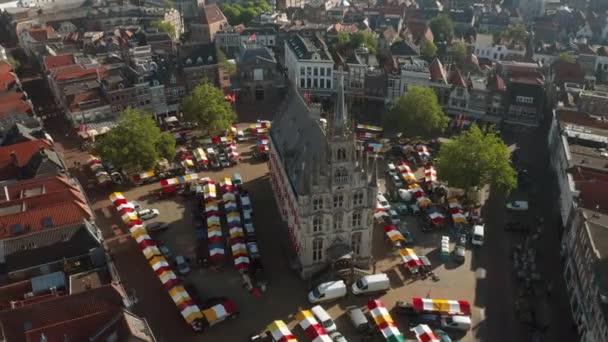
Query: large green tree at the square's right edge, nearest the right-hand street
[(477, 158)]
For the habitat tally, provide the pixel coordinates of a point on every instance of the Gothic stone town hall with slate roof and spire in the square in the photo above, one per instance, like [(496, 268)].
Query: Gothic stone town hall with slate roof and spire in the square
[(324, 187)]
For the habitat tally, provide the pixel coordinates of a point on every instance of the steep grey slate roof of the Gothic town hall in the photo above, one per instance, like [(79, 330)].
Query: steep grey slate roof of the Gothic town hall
[(300, 141)]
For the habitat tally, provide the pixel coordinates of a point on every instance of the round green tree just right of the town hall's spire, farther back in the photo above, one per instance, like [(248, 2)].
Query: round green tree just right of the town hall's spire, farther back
[(417, 113)]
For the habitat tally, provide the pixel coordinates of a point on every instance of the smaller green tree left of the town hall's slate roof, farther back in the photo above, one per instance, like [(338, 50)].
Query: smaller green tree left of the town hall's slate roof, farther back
[(207, 107)]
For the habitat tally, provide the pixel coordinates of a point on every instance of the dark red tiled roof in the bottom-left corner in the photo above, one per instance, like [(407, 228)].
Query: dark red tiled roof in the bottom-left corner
[(58, 315)]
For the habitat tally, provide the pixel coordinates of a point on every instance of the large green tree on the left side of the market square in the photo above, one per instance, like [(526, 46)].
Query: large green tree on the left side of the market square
[(136, 143)]
